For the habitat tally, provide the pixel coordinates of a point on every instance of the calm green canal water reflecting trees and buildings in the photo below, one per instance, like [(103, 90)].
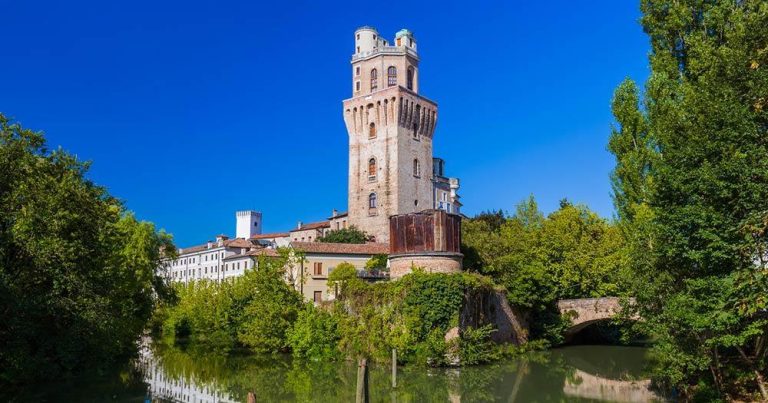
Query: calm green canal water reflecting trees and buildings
[(168, 374)]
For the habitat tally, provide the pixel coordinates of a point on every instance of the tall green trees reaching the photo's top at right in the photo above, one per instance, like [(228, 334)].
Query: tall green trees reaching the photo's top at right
[(694, 189)]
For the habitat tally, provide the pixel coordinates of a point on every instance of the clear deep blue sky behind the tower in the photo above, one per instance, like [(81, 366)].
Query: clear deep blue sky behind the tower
[(192, 110)]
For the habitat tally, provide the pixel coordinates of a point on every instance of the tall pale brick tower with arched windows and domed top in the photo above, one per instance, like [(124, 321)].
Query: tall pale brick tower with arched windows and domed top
[(390, 129)]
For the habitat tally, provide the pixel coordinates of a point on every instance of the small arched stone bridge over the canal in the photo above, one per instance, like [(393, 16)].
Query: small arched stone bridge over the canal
[(586, 311)]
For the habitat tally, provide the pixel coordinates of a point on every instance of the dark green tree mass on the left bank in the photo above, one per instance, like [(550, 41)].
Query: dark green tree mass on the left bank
[(78, 273)]
